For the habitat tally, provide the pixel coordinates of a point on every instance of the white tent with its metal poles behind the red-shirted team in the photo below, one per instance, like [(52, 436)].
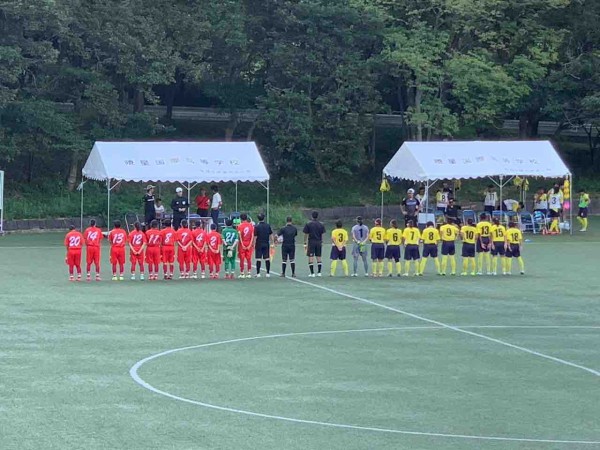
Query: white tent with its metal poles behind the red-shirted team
[(187, 163)]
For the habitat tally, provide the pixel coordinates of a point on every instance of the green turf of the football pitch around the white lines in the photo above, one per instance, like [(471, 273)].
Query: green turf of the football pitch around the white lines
[(67, 350)]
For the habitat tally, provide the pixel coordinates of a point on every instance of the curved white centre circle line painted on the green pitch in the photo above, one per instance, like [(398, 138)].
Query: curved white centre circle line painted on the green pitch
[(133, 372)]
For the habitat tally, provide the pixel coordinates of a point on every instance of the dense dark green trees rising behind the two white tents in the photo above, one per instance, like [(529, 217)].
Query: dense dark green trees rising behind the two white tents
[(316, 69)]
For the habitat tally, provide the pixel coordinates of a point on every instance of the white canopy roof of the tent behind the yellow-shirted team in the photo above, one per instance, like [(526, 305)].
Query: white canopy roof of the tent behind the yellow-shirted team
[(422, 161)]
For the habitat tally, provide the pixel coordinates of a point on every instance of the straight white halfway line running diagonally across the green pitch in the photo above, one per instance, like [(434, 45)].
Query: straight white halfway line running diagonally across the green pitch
[(450, 327)]
